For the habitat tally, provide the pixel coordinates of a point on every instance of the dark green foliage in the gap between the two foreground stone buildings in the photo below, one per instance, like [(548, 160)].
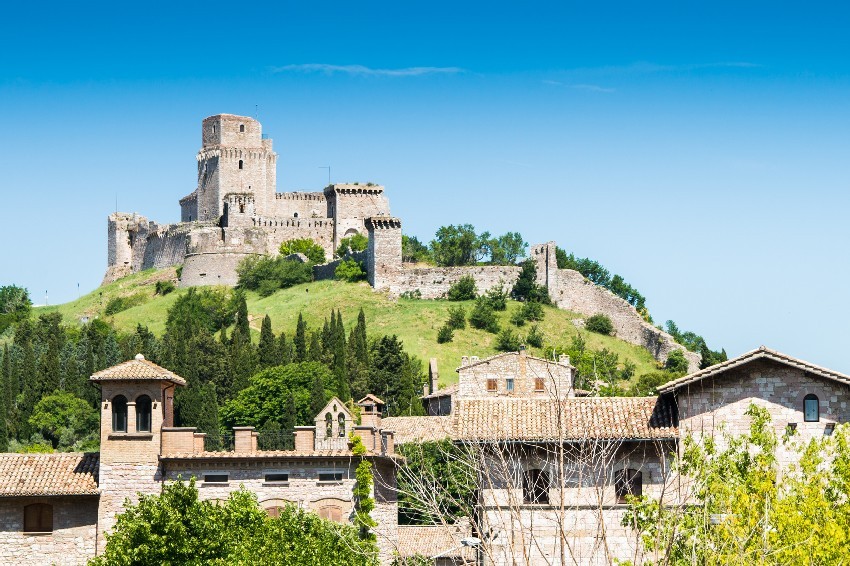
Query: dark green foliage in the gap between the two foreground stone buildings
[(435, 484)]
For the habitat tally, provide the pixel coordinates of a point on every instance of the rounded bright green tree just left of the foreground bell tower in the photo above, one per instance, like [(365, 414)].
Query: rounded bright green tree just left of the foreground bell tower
[(67, 421)]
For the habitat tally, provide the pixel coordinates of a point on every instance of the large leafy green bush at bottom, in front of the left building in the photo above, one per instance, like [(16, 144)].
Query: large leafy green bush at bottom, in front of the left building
[(176, 527)]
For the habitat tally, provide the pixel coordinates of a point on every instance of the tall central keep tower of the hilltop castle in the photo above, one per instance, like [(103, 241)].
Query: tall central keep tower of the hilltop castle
[(234, 158)]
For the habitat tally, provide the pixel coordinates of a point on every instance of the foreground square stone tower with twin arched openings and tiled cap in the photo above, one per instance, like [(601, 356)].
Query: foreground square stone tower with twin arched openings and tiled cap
[(137, 401)]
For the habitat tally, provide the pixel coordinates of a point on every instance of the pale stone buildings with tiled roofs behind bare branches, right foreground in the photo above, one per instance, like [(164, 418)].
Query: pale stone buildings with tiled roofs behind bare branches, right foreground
[(554, 469)]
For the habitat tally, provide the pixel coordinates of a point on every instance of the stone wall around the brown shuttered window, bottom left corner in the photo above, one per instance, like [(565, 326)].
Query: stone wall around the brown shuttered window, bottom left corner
[(73, 538)]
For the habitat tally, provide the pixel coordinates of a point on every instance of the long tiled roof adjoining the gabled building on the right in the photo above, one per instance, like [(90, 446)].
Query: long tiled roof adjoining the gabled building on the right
[(572, 419)]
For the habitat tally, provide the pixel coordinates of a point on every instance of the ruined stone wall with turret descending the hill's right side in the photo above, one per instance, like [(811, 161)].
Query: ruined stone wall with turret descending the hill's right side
[(570, 290)]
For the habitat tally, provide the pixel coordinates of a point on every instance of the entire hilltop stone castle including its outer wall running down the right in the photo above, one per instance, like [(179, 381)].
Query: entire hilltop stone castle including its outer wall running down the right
[(235, 212)]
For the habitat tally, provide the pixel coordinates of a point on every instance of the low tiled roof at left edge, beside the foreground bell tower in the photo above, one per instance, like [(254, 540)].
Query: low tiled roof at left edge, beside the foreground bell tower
[(69, 473)]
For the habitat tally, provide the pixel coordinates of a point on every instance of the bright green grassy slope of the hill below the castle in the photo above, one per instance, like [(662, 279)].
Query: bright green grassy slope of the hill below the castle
[(415, 321)]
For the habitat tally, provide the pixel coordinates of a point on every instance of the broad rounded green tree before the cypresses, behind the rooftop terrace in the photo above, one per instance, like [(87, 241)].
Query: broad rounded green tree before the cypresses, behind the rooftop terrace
[(266, 396)]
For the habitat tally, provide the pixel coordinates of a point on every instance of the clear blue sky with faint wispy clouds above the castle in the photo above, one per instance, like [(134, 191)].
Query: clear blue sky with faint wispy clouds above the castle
[(700, 150)]
